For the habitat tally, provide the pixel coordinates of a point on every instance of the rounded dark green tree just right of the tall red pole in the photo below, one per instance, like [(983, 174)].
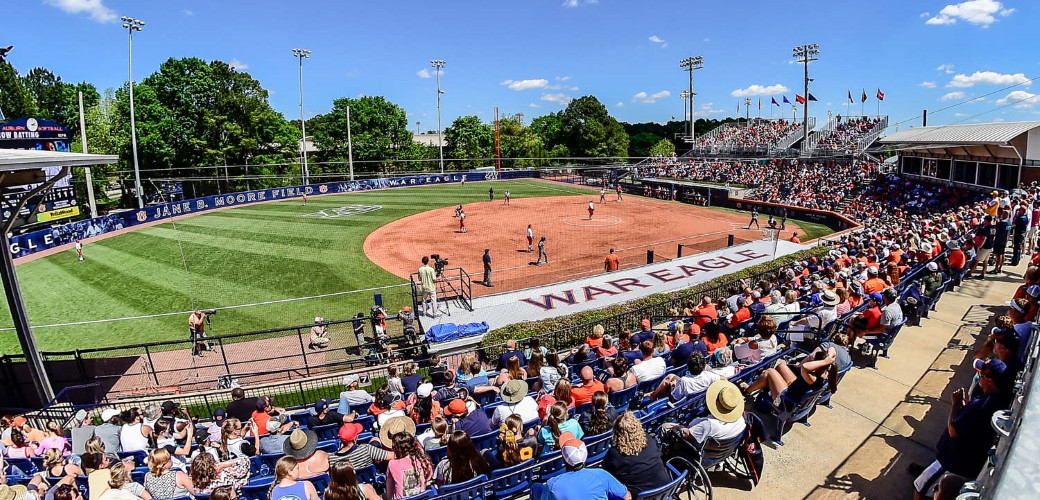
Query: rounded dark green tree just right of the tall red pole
[(590, 131)]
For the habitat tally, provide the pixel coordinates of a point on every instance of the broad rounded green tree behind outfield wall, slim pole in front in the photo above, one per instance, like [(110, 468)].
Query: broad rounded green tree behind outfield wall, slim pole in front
[(379, 131)]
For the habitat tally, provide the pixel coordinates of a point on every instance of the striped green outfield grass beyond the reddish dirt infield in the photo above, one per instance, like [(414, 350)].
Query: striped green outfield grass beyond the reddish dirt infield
[(246, 255)]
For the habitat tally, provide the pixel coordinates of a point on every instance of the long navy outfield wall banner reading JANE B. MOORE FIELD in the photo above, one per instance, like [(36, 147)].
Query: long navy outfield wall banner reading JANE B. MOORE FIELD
[(38, 241)]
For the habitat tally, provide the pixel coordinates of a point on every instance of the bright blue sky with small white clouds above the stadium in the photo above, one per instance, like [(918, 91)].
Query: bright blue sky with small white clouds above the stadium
[(532, 57)]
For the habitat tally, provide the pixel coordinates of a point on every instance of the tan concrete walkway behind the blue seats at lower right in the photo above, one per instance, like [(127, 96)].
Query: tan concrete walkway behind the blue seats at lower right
[(885, 419)]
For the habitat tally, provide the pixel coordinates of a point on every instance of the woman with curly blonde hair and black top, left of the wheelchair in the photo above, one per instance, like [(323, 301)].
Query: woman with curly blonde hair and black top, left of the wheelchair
[(635, 459)]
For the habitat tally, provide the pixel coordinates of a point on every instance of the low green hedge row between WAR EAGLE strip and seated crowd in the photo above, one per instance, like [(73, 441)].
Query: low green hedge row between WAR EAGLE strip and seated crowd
[(571, 330)]
